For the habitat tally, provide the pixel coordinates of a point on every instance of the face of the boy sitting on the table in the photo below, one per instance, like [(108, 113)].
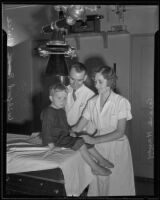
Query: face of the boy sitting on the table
[(58, 98)]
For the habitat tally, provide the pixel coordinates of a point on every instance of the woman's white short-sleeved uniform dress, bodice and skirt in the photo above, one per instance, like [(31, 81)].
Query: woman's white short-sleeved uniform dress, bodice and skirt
[(121, 181)]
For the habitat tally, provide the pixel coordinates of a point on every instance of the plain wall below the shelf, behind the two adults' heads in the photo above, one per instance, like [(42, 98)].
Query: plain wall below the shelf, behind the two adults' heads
[(93, 54)]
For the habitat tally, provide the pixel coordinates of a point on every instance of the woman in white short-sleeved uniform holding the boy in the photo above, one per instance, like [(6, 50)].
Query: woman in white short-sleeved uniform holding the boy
[(109, 113)]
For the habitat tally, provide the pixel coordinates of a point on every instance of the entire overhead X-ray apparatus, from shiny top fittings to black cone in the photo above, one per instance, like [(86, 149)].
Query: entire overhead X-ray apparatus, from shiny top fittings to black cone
[(57, 48)]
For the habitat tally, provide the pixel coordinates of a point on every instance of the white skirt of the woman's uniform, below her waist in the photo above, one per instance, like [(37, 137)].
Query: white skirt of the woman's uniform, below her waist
[(121, 181)]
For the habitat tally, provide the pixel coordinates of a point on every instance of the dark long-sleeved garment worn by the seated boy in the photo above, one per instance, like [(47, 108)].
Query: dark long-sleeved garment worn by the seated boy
[(55, 129)]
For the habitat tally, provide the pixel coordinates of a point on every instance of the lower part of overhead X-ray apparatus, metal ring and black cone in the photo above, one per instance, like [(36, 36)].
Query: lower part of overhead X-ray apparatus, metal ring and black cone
[(57, 49)]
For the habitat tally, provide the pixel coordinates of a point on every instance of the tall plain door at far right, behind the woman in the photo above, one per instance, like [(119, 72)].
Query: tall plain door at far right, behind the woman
[(142, 94)]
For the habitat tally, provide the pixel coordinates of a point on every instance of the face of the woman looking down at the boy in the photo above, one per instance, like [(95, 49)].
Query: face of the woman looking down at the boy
[(100, 83)]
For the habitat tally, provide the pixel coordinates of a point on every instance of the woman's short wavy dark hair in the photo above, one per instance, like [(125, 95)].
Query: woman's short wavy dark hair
[(109, 74)]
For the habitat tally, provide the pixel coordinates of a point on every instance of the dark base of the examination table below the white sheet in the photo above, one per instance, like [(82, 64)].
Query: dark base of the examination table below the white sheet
[(36, 183)]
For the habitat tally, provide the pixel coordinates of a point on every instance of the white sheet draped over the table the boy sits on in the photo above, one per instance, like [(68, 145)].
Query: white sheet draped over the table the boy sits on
[(77, 174)]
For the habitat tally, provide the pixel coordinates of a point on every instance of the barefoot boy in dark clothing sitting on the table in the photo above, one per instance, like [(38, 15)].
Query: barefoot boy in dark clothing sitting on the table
[(55, 132)]
